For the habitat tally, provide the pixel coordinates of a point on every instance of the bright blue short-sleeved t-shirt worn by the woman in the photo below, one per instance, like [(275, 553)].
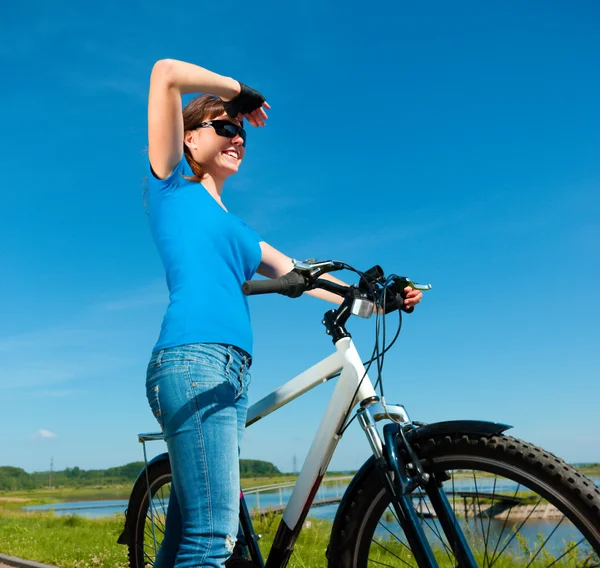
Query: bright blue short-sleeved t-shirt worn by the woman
[(208, 254)]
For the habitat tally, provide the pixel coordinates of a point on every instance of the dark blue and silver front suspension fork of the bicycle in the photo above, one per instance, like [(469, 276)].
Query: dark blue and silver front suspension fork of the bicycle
[(402, 476)]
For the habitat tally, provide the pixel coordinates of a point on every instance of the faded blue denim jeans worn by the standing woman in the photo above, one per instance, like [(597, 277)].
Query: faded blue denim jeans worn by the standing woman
[(198, 394)]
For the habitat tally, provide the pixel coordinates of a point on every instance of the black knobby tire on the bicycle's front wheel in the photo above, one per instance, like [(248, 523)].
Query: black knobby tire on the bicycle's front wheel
[(555, 482)]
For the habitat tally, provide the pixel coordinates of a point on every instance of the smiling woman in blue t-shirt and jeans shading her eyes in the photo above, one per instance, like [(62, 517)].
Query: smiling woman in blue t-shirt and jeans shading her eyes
[(198, 376)]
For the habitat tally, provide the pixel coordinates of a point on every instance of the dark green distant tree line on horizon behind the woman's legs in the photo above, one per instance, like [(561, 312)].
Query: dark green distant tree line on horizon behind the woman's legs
[(15, 478)]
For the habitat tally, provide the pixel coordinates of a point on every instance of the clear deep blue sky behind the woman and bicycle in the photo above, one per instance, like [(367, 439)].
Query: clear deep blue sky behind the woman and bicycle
[(457, 144)]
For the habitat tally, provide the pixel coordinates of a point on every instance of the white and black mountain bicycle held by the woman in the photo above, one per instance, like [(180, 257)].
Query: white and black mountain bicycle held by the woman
[(454, 493)]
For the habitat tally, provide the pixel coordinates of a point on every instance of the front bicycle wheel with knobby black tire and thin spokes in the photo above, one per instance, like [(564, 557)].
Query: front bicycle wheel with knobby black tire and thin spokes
[(516, 504)]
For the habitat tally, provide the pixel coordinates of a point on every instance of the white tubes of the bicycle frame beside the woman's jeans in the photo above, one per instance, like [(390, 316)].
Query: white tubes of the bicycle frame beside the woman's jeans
[(353, 386)]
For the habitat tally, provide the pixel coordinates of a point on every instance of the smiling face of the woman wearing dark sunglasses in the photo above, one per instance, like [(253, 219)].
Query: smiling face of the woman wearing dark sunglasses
[(219, 156)]
